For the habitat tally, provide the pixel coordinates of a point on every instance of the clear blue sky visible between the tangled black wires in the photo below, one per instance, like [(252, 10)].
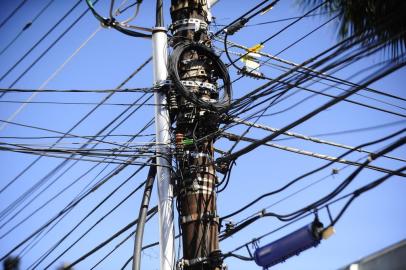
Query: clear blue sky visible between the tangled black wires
[(373, 222)]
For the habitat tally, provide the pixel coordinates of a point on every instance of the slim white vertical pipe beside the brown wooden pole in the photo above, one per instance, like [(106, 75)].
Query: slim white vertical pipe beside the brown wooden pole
[(162, 125)]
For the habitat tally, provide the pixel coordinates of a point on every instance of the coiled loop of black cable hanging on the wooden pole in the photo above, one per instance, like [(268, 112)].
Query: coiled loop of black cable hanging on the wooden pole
[(215, 102)]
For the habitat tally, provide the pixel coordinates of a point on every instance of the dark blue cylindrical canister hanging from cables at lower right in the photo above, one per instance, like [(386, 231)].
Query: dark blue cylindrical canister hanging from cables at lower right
[(289, 245)]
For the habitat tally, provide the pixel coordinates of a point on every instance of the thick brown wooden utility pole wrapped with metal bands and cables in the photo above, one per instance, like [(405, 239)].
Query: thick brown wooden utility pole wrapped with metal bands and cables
[(195, 108)]
